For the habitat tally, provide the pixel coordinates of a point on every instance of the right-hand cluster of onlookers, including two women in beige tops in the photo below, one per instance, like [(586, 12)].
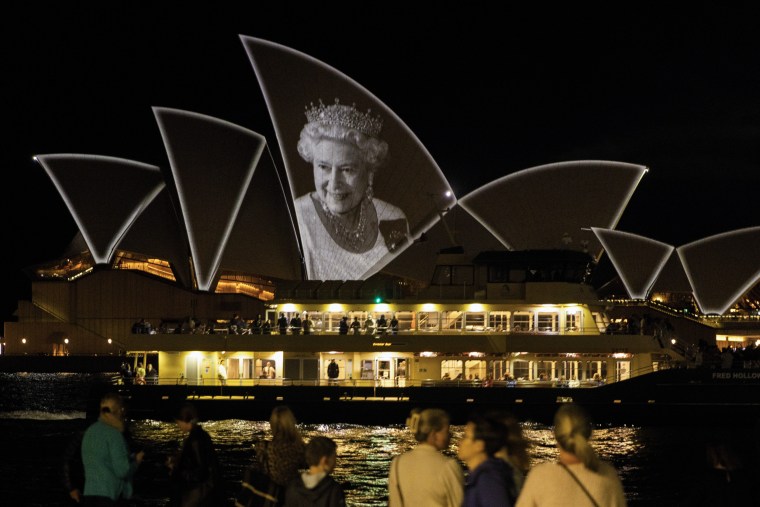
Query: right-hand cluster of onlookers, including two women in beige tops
[(497, 467)]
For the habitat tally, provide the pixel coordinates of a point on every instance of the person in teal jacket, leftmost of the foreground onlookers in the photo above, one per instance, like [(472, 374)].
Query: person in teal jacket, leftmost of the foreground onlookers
[(108, 465)]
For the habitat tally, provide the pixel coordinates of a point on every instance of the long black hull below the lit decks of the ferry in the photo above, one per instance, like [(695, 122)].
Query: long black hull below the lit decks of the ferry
[(671, 397)]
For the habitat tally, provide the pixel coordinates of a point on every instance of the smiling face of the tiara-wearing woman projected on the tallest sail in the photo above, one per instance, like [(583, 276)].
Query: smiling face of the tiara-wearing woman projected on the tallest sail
[(341, 176)]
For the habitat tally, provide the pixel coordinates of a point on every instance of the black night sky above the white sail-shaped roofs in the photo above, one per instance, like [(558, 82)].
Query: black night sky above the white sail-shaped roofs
[(489, 90)]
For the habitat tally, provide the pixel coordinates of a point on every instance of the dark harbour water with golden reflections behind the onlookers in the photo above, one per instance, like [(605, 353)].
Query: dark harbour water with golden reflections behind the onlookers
[(40, 412)]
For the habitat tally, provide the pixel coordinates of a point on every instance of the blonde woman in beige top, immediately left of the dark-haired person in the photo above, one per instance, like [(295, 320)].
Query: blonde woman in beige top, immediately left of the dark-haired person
[(424, 476)]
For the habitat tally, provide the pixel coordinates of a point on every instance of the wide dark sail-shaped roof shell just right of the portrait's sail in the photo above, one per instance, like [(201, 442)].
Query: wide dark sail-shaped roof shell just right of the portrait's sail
[(550, 206)]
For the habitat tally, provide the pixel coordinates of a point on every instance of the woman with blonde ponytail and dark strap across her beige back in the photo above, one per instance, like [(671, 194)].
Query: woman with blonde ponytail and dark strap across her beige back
[(579, 477)]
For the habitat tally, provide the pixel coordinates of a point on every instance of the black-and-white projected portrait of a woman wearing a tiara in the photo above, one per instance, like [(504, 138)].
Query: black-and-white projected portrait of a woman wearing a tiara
[(345, 230)]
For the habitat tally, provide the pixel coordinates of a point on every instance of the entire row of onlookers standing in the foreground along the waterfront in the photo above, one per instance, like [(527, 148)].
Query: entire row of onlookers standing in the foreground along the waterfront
[(492, 464)]
